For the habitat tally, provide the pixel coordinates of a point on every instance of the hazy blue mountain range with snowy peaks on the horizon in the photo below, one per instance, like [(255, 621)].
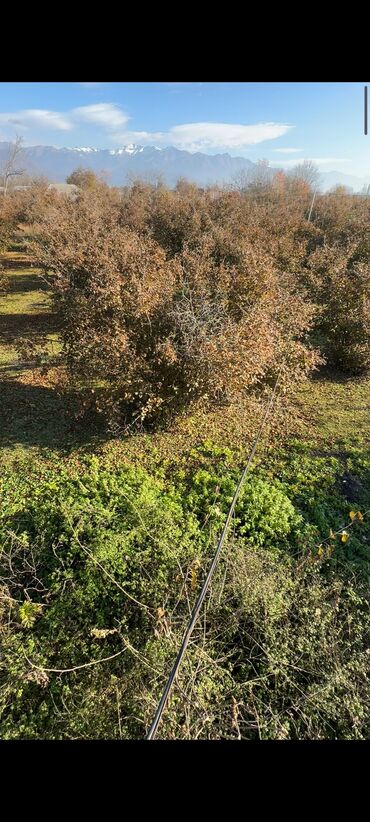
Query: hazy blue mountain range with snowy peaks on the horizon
[(133, 161)]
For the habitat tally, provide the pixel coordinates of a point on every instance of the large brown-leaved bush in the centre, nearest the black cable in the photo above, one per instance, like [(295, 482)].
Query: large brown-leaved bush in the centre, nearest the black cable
[(172, 306)]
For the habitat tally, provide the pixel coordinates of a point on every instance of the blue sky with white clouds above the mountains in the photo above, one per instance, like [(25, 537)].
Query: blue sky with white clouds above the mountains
[(282, 122)]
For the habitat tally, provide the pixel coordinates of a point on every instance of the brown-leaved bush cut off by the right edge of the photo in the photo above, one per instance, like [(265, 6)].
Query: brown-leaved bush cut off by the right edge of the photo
[(338, 277)]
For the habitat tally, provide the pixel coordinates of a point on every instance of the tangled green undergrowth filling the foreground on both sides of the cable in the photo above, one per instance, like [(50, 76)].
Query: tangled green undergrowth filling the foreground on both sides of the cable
[(101, 564)]
